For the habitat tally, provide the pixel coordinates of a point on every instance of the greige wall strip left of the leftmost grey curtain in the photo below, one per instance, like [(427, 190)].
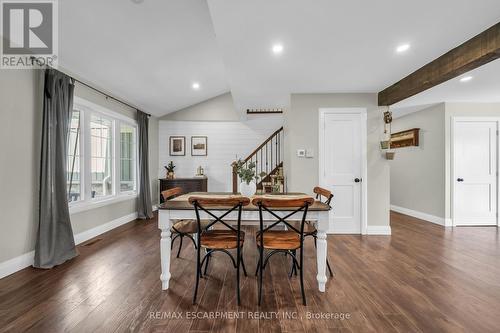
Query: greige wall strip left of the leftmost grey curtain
[(20, 130)]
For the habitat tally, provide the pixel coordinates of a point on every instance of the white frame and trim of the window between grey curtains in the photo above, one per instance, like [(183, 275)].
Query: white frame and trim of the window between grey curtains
[(86, 202)]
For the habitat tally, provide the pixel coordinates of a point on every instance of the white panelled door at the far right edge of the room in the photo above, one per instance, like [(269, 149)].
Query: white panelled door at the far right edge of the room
[(475, 172)]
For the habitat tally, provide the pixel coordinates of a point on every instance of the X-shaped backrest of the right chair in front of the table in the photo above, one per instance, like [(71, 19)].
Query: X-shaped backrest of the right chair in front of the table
[(271, 205)]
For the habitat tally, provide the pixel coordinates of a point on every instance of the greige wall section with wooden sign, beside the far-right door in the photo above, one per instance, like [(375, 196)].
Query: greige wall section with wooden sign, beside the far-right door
[(418, 173)]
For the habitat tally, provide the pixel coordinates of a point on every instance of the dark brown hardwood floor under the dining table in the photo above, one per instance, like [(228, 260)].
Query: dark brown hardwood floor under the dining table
[(423, 278)]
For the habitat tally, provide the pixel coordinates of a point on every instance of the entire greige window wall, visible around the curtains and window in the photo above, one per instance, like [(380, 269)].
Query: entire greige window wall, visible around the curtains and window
[(20, 132)]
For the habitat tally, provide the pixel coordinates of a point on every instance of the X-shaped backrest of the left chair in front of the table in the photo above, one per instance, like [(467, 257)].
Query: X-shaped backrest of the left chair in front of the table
[(226, 204)]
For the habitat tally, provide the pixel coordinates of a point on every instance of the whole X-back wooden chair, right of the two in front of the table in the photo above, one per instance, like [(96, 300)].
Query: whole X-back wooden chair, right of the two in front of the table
[(281, 241)]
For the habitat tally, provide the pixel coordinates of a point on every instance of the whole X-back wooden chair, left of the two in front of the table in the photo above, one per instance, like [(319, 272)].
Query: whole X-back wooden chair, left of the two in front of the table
[(219, 240)]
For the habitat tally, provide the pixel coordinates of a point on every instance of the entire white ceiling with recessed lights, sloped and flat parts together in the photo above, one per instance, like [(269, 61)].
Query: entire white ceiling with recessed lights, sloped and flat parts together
[(150, 53)]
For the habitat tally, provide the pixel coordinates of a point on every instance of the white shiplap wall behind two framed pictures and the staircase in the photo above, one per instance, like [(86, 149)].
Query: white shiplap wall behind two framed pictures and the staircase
[(226, 141)]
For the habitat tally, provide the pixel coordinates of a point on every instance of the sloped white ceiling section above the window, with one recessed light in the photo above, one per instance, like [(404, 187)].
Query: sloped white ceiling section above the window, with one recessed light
[(148, 54)]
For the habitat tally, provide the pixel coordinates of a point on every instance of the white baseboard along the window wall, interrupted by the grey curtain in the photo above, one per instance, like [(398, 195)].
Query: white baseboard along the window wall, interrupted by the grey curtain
[(16, 264)]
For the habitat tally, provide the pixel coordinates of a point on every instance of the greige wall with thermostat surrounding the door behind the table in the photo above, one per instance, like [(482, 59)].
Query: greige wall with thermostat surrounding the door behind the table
[(301, 131)]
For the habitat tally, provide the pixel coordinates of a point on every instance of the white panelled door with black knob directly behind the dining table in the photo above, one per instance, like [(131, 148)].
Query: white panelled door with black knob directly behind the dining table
[(341, 168)]
